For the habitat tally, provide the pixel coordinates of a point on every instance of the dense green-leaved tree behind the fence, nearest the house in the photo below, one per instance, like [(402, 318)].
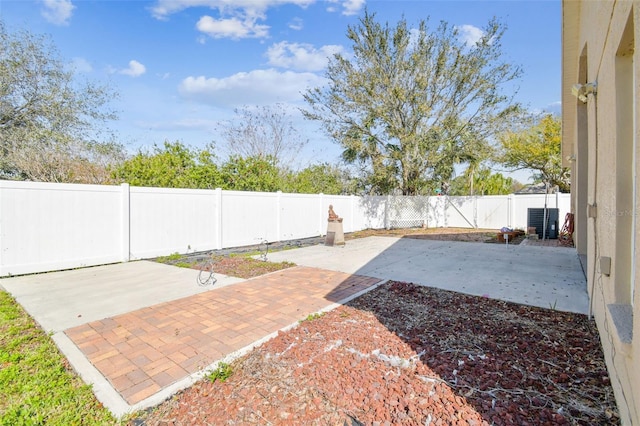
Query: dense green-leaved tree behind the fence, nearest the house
[(537, 148)]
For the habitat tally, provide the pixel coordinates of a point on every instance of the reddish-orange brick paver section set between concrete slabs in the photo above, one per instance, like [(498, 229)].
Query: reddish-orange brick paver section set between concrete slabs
[(143, 351)]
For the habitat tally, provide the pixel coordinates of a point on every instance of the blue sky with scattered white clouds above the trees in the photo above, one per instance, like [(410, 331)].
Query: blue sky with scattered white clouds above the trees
[(182, 66)]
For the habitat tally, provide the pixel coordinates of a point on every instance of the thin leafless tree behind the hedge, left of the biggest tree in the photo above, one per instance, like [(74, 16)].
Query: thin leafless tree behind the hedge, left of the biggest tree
[(261, 132)]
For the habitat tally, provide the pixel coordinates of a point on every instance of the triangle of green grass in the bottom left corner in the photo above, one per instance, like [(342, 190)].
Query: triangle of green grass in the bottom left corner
[(36, 385)]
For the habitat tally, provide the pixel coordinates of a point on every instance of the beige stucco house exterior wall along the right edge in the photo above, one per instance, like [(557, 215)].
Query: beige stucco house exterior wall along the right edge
[(600, 143)]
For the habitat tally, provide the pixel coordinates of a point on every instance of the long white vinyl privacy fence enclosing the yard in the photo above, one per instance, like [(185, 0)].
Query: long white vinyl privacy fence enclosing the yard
[(46, 226)]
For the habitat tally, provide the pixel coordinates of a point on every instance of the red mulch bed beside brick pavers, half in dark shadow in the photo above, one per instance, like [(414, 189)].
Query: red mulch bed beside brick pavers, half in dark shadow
[(410, 355)]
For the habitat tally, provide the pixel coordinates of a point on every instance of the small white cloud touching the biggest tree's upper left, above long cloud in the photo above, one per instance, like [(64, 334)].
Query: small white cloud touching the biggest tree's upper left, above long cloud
[(301, 56)]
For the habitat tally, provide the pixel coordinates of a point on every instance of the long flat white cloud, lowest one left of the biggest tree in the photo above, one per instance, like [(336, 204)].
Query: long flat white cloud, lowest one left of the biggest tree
[(254, 87)]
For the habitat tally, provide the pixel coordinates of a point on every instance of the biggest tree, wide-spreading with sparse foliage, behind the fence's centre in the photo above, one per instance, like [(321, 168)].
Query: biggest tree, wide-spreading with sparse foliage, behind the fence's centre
[(406, 104)]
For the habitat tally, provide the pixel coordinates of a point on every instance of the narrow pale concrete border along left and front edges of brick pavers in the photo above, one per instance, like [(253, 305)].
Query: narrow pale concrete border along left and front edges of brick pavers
[(120, 408)]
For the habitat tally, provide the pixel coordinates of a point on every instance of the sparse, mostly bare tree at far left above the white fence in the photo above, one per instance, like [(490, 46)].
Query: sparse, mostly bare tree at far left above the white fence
[(50, 122)]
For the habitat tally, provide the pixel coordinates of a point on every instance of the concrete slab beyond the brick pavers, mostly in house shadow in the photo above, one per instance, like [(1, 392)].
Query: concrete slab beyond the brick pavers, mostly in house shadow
[(533, 275)]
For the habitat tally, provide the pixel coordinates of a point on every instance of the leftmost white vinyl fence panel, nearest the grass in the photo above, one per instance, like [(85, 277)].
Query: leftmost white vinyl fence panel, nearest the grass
[(45, 227)]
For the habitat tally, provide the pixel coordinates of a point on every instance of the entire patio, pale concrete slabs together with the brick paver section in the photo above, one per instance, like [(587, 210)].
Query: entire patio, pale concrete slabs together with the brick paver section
[(141, 331)]
